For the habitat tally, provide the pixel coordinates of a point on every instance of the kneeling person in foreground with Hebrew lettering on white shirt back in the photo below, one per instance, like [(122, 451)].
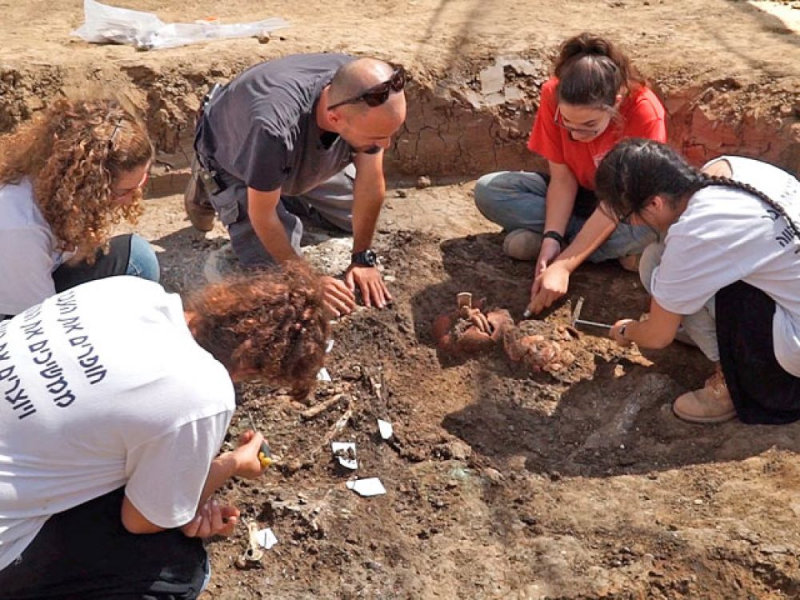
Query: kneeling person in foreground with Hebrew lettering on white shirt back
[(118, 400)]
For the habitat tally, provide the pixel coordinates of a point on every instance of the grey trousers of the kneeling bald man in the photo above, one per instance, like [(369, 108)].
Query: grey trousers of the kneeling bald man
[(330, 203)]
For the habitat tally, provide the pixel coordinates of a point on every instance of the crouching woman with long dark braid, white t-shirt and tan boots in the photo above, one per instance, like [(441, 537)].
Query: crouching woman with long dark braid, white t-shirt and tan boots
[(728, 270)]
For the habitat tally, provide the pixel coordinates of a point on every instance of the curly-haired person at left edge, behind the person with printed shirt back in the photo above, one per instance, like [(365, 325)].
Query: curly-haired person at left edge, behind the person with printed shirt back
[(66, 177)]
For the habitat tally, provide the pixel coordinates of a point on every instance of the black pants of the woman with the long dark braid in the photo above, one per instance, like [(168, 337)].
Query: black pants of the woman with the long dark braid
[(761, 390)]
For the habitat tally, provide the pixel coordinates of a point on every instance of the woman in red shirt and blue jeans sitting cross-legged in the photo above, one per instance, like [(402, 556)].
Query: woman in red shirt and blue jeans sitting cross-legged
[(595, 99)]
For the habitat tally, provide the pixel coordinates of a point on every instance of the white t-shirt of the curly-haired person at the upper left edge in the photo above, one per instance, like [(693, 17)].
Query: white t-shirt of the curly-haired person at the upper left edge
[(28, 254)]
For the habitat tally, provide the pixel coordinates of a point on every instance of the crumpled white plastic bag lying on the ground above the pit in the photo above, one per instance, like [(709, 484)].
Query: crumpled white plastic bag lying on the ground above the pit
[(104, 24)]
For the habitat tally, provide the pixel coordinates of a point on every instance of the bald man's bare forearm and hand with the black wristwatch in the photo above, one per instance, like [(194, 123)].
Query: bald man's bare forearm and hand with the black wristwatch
[(369, 190)]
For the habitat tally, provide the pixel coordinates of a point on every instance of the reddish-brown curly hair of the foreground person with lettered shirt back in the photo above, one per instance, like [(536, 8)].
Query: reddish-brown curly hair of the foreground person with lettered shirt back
[(272, 322)]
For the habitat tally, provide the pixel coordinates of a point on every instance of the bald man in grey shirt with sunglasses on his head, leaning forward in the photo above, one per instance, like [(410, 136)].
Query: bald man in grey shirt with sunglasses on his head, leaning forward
[(300, 135)]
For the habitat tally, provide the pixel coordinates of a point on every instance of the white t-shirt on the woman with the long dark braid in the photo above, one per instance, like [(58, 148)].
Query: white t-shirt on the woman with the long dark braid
[(726, 235)]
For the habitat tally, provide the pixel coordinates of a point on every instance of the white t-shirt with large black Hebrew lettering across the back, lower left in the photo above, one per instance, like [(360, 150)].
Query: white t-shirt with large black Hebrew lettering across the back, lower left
[(103, 386)]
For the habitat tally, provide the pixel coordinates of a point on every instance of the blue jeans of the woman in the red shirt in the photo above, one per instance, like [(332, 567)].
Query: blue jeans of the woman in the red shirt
[(516, 200)]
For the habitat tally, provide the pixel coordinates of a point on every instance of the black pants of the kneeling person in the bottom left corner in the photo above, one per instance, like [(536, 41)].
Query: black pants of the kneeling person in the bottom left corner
[(86, 554)]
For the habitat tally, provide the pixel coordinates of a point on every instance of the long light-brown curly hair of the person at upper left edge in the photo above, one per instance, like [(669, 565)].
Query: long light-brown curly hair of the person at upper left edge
[(73, 152)]
